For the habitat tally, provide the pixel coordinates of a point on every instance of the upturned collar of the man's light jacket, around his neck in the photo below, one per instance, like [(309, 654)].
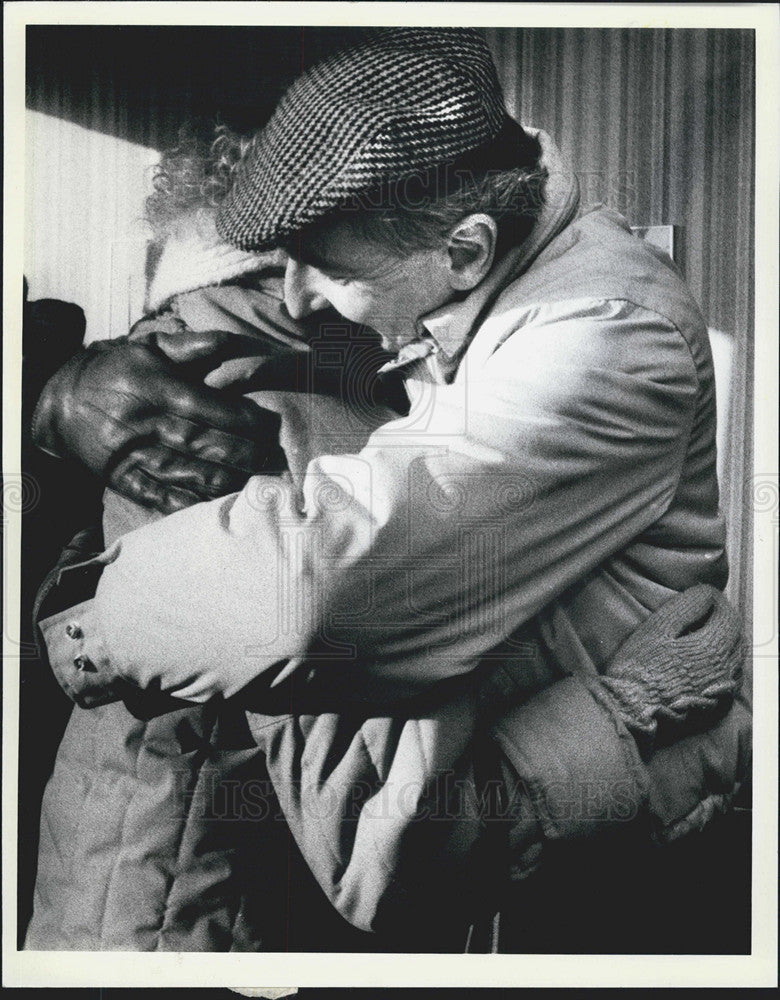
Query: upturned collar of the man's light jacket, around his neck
[(446, 332)]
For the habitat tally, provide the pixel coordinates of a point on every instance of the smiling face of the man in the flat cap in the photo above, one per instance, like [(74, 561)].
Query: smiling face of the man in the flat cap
[(365, 284)]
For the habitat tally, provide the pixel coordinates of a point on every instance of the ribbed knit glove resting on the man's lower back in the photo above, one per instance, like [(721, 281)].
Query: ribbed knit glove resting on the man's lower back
[(685, 661)]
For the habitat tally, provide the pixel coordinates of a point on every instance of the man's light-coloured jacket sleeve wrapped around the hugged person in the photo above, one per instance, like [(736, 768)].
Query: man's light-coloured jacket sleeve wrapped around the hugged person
[(373, 583)]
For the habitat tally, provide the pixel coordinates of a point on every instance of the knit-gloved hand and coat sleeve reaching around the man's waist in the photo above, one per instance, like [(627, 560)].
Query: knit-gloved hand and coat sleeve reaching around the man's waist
[(589, 753)]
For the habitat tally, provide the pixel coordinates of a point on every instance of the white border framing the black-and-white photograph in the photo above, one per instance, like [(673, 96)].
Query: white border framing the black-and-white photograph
[(87, 969)]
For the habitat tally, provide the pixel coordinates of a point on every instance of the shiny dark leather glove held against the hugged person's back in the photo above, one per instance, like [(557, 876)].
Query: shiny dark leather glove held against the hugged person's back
[(137, 414)]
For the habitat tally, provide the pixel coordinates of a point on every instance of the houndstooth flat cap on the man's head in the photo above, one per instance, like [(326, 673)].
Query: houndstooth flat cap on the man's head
[(398, 102)]
